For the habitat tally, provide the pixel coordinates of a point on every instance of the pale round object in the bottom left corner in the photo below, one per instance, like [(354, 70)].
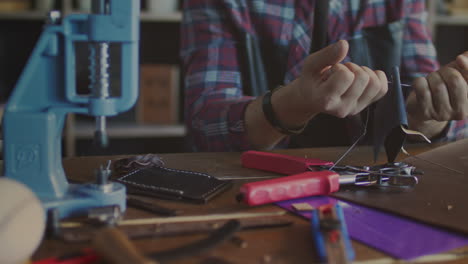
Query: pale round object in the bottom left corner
[(22, 222)]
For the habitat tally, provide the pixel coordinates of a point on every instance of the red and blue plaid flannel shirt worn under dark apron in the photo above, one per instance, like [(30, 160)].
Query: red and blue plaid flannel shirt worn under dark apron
[(214, 102)]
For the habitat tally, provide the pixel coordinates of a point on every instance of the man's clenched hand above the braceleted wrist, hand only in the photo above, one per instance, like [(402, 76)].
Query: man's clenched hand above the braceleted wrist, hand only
[(327, 86)]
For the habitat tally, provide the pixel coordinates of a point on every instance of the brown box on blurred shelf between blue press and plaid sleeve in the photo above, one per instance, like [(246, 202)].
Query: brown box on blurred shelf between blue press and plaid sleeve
[(158, 102)]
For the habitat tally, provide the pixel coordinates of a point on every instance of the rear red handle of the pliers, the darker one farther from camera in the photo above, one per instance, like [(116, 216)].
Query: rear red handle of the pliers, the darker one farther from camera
[(279, 163)]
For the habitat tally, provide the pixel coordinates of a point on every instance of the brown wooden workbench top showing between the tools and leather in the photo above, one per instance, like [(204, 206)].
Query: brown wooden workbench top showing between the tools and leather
[(291, 244)]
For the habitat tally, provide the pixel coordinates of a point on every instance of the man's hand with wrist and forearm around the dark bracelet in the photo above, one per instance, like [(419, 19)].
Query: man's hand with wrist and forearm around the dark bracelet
[(324, 86)]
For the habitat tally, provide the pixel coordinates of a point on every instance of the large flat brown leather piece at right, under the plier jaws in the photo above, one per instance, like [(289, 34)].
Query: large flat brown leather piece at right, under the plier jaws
[(439, 199)]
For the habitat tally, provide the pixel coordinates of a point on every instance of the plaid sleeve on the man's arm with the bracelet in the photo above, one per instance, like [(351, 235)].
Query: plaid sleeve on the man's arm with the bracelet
[(214, 103)]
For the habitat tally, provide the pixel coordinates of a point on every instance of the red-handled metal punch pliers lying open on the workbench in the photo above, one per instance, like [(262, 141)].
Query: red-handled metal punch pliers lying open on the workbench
[(310, 177)]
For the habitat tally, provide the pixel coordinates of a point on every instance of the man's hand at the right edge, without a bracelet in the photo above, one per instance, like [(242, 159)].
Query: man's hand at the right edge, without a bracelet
[(439, 97)]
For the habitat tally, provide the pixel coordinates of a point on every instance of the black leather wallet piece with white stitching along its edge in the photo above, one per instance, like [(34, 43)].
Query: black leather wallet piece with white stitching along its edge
[(168, 183)]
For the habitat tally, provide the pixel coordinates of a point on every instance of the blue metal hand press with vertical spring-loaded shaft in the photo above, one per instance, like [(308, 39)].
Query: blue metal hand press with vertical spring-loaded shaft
[(46, 92)]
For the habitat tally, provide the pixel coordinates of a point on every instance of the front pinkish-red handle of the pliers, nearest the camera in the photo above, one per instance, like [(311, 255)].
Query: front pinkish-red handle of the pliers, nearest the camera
[(290, 187)]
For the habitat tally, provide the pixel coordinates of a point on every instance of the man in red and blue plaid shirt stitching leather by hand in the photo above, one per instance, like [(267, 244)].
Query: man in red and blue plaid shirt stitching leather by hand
[(220, 117)]
